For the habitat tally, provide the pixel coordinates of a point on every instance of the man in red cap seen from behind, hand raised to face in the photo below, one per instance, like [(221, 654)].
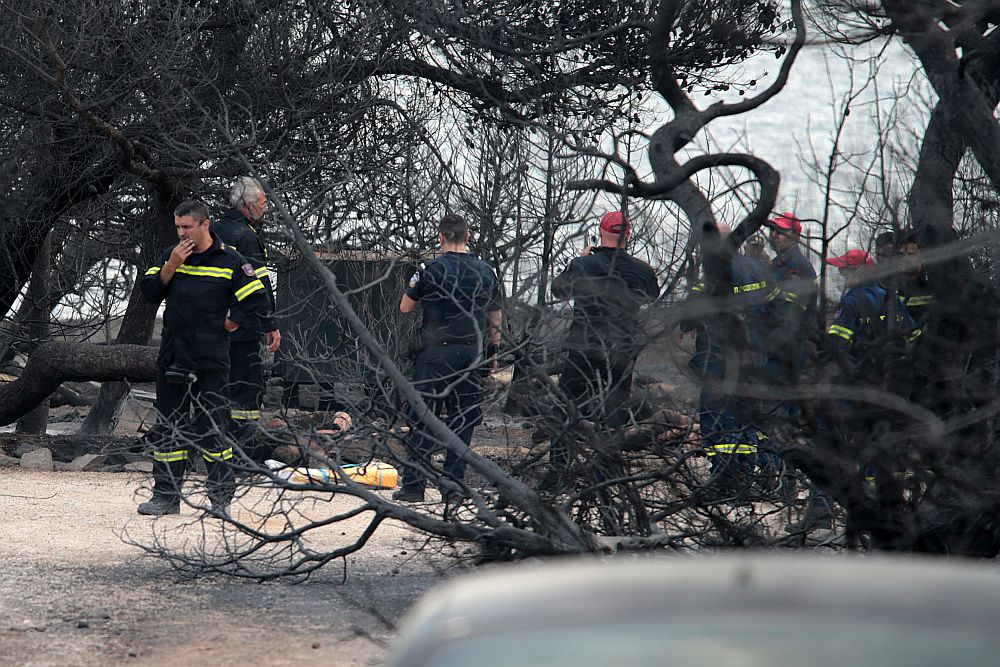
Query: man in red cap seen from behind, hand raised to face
[(608, 287)]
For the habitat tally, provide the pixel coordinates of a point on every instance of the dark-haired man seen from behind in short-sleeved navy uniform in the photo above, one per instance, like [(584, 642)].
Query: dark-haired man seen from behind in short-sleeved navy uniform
[(460, 338)]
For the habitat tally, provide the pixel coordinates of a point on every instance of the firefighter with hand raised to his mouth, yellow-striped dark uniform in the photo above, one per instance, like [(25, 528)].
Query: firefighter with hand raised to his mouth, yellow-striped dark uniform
[(198, 278)]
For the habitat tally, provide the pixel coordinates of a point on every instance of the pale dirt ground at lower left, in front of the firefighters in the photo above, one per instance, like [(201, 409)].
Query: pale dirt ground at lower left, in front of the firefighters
[(73, 593)]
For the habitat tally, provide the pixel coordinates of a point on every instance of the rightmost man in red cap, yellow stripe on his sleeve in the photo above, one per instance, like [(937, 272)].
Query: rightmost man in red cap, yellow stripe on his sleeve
[(868, 329)]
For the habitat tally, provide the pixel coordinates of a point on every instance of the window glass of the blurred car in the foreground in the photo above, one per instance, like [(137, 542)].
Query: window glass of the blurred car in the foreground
[(751, 642)]
